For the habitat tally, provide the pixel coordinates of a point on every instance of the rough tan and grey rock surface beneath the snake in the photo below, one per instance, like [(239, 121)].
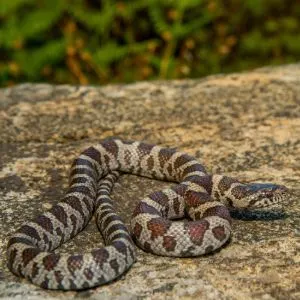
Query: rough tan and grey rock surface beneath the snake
[(245, 125)]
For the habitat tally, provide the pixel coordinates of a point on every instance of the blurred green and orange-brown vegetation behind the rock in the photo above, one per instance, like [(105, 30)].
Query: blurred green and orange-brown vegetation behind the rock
[(97, 42)]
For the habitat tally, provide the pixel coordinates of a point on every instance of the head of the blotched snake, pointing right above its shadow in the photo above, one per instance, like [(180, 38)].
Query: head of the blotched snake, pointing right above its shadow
[(264, 195)]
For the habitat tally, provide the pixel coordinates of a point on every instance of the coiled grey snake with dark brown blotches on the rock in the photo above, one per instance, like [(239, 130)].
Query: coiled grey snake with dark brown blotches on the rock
[(189, 218)]
